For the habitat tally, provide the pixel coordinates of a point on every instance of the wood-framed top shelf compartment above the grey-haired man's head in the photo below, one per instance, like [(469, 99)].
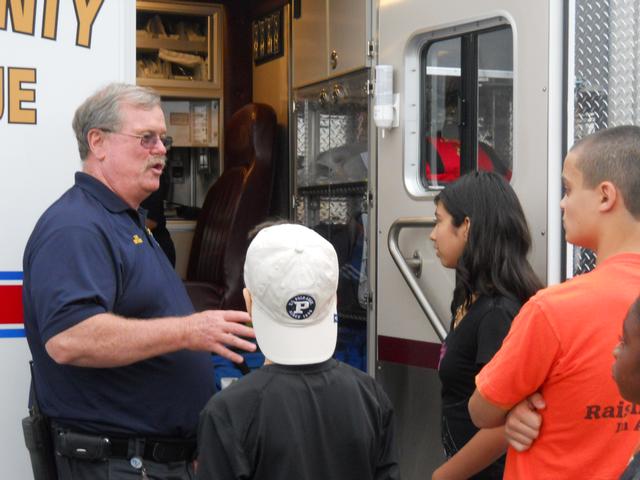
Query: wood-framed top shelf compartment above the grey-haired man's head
[(179, 48)]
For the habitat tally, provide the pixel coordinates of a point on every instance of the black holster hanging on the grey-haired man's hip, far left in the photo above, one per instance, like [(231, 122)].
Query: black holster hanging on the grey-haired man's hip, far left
[(37, 438)]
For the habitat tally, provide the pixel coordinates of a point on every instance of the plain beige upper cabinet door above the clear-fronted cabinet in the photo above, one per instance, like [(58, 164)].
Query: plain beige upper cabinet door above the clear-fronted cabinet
[(330, 39)]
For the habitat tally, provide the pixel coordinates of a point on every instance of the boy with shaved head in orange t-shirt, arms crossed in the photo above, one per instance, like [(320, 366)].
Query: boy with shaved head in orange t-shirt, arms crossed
[(559, 344)]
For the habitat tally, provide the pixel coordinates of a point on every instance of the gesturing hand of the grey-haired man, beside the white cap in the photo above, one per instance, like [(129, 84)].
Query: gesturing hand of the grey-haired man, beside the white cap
[(215, 330)]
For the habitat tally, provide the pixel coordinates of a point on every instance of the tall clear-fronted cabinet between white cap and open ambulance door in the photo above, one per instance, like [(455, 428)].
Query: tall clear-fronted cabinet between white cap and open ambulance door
[(331, 159)]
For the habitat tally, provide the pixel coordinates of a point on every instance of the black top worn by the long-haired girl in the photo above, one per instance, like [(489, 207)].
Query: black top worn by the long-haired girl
[(465, 351)]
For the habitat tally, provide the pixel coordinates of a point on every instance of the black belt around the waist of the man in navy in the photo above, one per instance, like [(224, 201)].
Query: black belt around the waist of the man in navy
[(94, 447)]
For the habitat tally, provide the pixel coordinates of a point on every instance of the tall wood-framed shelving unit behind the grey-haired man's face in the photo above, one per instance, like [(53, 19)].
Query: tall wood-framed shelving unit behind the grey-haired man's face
[(179, 54)]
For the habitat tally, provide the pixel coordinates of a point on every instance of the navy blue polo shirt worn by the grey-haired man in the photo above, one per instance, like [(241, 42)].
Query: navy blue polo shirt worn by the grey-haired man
[(90, 253)]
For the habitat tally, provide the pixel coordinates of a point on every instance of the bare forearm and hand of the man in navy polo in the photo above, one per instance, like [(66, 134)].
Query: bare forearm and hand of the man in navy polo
[(107, 340)]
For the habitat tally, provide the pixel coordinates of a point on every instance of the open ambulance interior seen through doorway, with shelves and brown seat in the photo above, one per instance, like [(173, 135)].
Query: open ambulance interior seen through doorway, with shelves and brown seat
[(208, 60)]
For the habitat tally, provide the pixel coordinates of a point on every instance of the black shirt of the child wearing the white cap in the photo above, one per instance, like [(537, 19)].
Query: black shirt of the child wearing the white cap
[(314, 422)]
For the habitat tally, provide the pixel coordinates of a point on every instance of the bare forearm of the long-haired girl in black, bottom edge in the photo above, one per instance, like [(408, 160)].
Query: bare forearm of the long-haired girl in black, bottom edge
[(484, 448)]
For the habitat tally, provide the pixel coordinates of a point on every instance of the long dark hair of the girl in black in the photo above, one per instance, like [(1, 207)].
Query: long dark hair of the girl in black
[(494, 259)]
